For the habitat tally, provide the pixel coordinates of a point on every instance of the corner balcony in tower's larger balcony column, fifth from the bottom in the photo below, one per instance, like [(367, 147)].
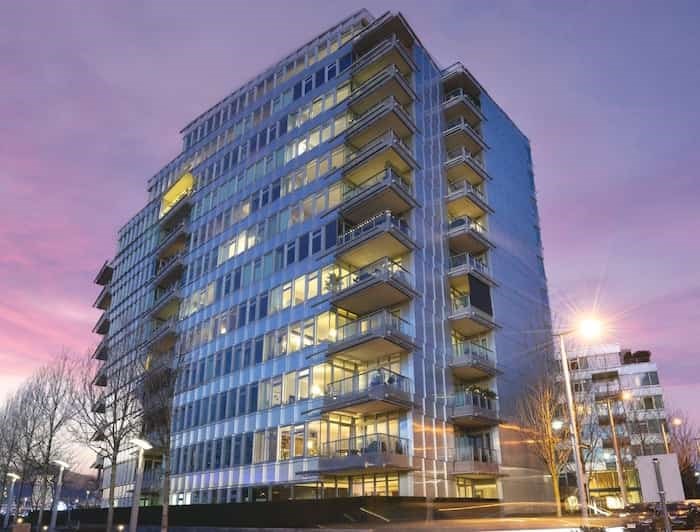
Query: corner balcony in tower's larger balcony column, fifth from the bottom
[(380, 236)]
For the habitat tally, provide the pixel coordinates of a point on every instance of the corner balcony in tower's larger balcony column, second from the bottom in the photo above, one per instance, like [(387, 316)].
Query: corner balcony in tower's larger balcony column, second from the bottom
[(371, 392)]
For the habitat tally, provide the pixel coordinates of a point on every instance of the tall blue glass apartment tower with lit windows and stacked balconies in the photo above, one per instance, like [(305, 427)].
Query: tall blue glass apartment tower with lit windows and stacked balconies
[(344, 264)]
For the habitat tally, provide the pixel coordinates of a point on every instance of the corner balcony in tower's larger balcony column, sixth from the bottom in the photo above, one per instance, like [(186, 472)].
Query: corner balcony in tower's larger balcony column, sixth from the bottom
[(385, 191)]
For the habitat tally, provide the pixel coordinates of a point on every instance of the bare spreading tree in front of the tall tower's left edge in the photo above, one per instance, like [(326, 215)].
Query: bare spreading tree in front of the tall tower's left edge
[(107, 418)]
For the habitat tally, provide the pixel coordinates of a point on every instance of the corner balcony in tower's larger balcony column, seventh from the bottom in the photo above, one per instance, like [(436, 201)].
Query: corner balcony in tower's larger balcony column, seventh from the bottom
[(383, 152)]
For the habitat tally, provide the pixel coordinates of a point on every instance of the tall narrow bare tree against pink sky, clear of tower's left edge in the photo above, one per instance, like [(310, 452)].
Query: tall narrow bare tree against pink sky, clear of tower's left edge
[(55, 390)]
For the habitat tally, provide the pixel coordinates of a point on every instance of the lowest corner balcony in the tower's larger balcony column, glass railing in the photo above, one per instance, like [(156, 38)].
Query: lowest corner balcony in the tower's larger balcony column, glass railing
[(365, 454)]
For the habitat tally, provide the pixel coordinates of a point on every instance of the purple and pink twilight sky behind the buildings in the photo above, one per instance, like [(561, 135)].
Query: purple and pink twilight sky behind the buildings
[(93, 94)]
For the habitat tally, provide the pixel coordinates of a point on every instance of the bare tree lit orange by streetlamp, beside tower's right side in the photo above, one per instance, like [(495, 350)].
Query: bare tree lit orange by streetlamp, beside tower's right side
[(539, 413)]
